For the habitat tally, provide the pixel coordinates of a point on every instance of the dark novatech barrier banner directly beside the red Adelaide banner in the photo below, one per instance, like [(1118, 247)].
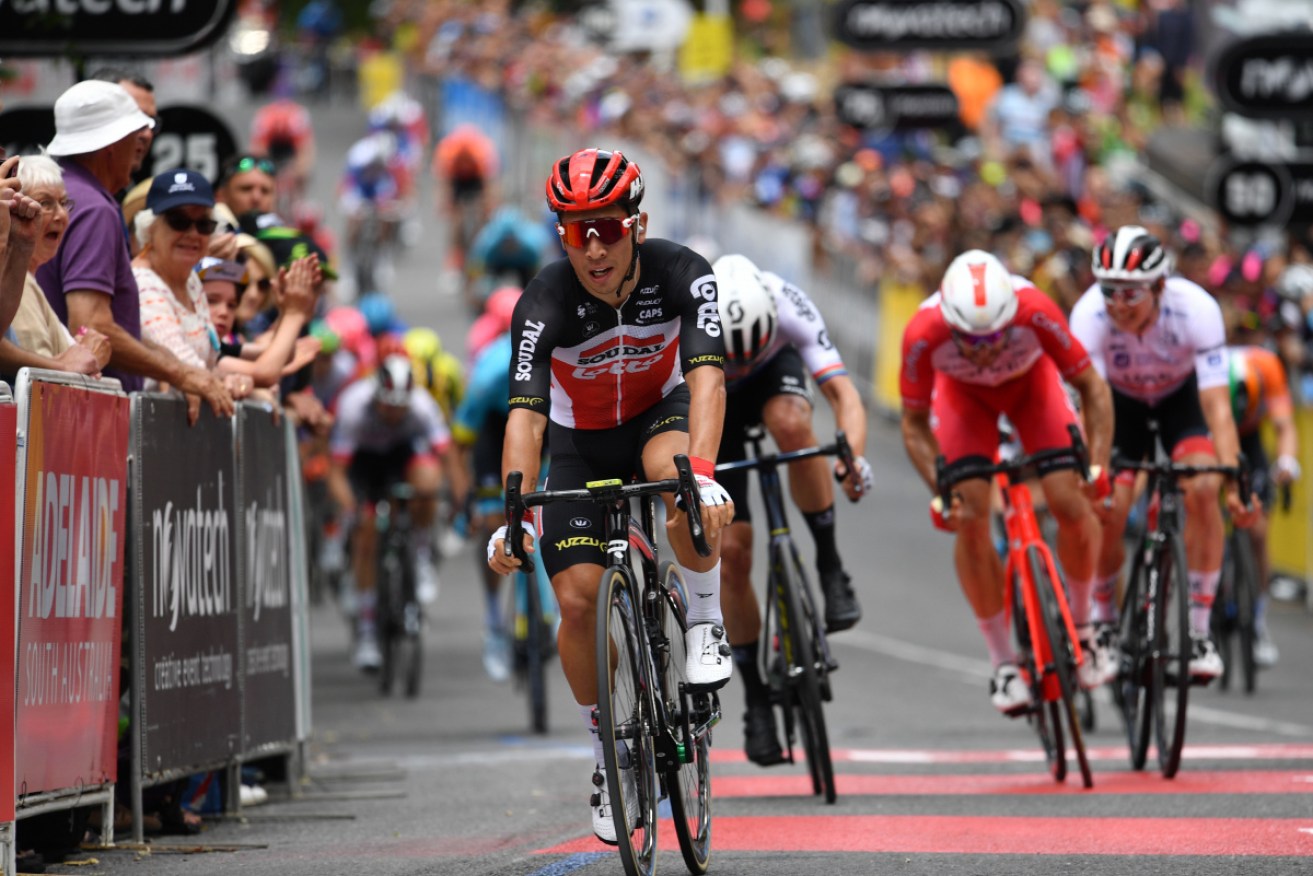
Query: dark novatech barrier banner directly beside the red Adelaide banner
[(186, 537)]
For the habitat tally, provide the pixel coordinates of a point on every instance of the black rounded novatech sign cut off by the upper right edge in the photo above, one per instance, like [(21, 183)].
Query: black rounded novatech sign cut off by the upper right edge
[(1268, 77)]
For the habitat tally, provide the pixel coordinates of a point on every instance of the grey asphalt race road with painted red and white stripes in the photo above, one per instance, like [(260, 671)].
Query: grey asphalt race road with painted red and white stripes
[(932, 781)]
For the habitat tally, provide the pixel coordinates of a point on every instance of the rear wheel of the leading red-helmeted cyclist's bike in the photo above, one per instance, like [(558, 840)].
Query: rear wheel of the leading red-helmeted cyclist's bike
[(689, 781)]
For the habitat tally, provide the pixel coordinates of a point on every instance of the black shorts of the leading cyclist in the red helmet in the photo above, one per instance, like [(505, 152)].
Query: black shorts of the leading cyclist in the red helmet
[(573, 533)]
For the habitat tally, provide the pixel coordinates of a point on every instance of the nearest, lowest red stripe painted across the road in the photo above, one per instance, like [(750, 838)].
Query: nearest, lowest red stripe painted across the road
[(997, 836)]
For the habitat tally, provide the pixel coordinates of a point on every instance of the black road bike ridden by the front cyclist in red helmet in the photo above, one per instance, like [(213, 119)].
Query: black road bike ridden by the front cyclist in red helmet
[(653, 726)]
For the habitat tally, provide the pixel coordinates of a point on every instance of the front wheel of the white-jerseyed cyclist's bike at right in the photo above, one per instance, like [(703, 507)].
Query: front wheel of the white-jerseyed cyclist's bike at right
[(1172, 669)]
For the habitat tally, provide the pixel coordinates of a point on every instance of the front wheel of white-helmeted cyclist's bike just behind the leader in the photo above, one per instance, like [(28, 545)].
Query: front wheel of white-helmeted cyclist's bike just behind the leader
[(796, 632)]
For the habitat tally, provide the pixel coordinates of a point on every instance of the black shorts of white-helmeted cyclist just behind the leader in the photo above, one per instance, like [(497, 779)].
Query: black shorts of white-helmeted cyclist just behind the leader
[(785, 375)]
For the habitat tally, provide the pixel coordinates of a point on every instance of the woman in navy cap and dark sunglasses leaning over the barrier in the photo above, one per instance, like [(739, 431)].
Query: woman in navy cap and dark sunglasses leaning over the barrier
[(175, 234)]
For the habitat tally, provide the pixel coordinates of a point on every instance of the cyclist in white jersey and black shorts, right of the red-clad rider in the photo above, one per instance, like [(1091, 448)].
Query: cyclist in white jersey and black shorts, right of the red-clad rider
[(1161, 345)]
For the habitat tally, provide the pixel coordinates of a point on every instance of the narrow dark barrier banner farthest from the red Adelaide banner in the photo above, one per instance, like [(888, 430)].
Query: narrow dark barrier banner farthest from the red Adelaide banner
[(270, 706)]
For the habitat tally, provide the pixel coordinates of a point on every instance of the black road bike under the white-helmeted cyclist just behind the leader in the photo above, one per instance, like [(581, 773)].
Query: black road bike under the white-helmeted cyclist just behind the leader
[(799, 664)]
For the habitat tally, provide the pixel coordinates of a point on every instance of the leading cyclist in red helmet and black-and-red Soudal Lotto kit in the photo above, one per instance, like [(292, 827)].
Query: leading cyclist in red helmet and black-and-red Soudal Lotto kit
[(620, 346)]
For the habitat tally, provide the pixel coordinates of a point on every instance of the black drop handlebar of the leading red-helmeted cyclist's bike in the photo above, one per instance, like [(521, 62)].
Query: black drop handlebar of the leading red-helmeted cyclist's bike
[(685, 487)]
